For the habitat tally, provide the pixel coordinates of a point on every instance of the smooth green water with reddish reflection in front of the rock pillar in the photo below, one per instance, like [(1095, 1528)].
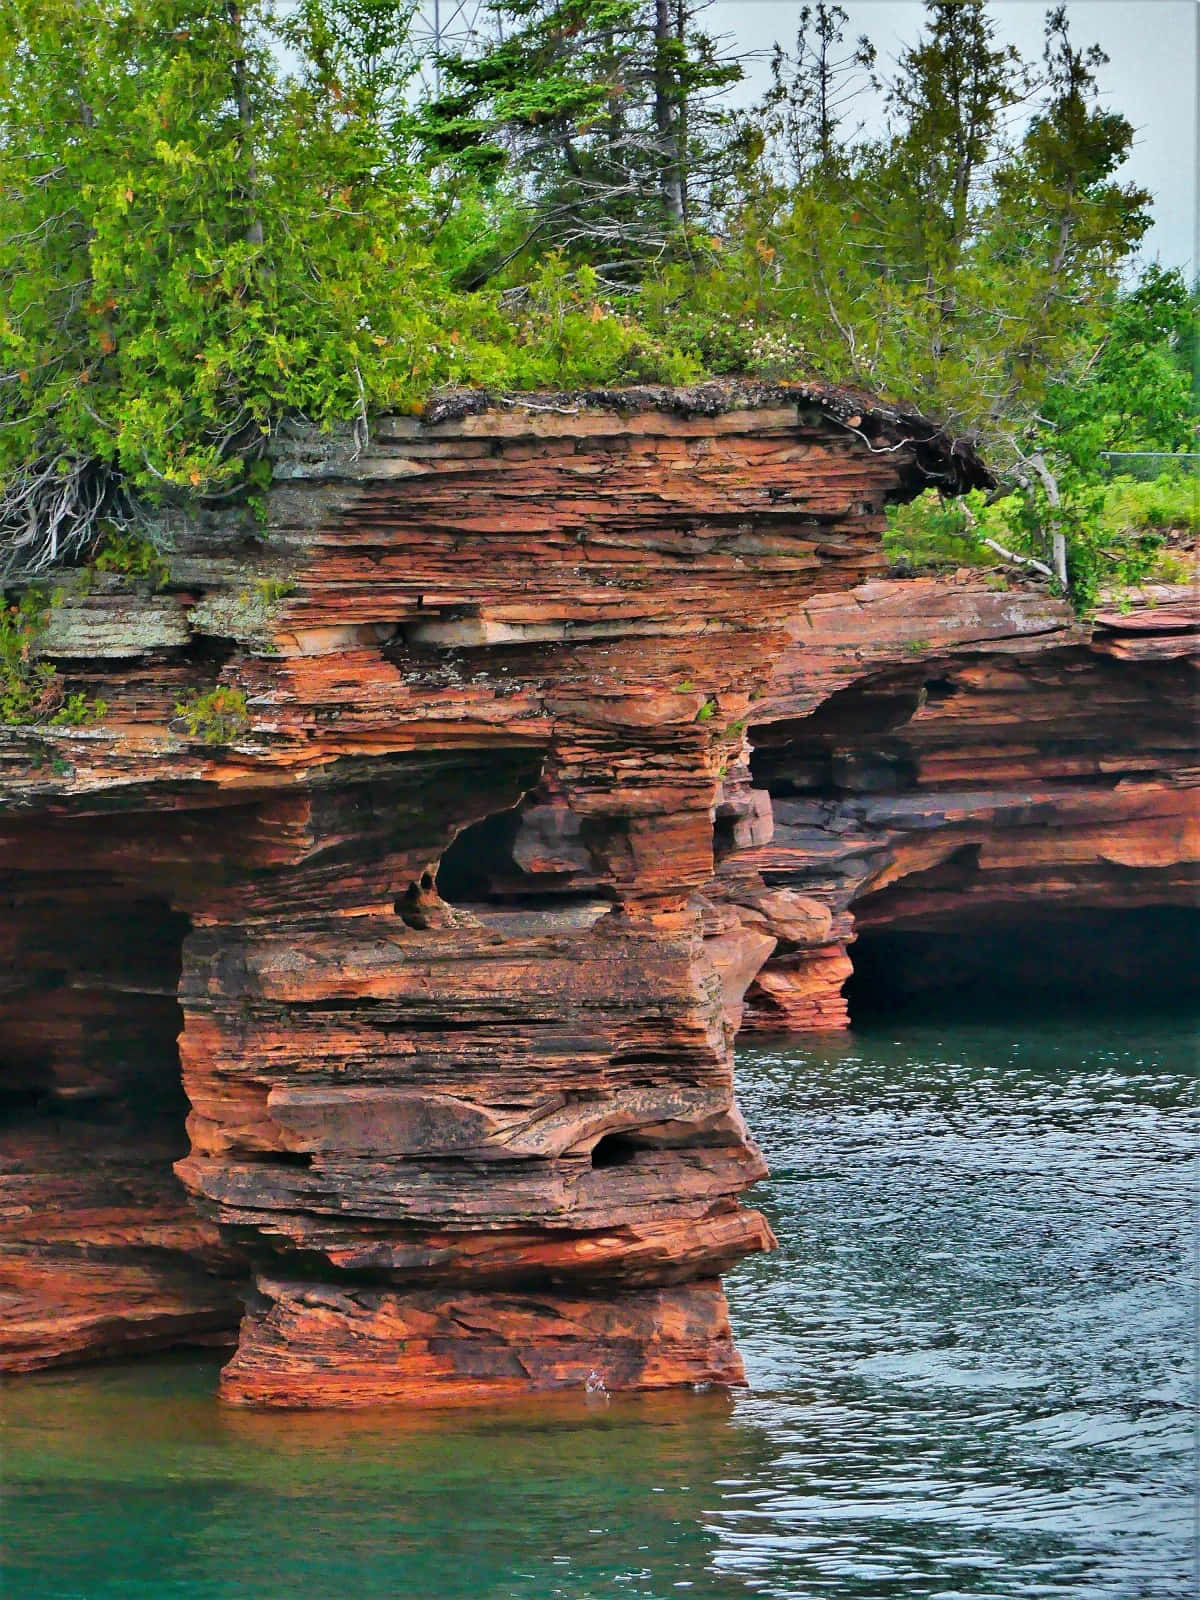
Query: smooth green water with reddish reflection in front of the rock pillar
[(145, 1489)]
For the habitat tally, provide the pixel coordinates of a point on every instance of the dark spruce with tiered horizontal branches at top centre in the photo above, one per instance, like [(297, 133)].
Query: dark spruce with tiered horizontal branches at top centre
[(601, 114)]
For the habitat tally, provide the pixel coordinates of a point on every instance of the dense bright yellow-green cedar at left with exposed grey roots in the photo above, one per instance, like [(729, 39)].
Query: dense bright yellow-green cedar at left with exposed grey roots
[(190, 249)]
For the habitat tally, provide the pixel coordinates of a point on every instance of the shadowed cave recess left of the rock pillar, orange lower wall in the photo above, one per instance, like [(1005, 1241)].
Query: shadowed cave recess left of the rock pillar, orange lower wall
[(105, 1257)]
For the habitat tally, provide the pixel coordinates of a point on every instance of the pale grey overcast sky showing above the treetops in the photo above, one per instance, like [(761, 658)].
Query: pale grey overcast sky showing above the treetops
[(1151, 78)]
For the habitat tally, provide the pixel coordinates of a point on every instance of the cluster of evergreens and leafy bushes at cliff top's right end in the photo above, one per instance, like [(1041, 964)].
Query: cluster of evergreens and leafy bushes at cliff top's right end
[(959, 271)]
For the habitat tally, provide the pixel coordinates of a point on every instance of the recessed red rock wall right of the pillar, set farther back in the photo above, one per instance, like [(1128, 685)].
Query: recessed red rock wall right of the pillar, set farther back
[(980, 790)]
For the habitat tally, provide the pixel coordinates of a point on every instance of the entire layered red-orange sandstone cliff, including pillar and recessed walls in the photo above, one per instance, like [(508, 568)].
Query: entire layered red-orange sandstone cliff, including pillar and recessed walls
[(570, 722)]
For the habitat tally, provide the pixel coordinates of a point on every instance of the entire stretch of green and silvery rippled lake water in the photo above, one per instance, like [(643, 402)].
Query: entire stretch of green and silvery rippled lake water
[(972, 1364)]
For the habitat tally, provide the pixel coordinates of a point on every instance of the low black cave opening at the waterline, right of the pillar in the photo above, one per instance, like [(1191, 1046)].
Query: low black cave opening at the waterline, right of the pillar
[(1047, 962)]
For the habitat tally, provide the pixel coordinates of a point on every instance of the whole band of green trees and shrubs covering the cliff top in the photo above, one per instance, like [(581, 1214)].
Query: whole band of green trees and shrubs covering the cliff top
[(220, 215)]
